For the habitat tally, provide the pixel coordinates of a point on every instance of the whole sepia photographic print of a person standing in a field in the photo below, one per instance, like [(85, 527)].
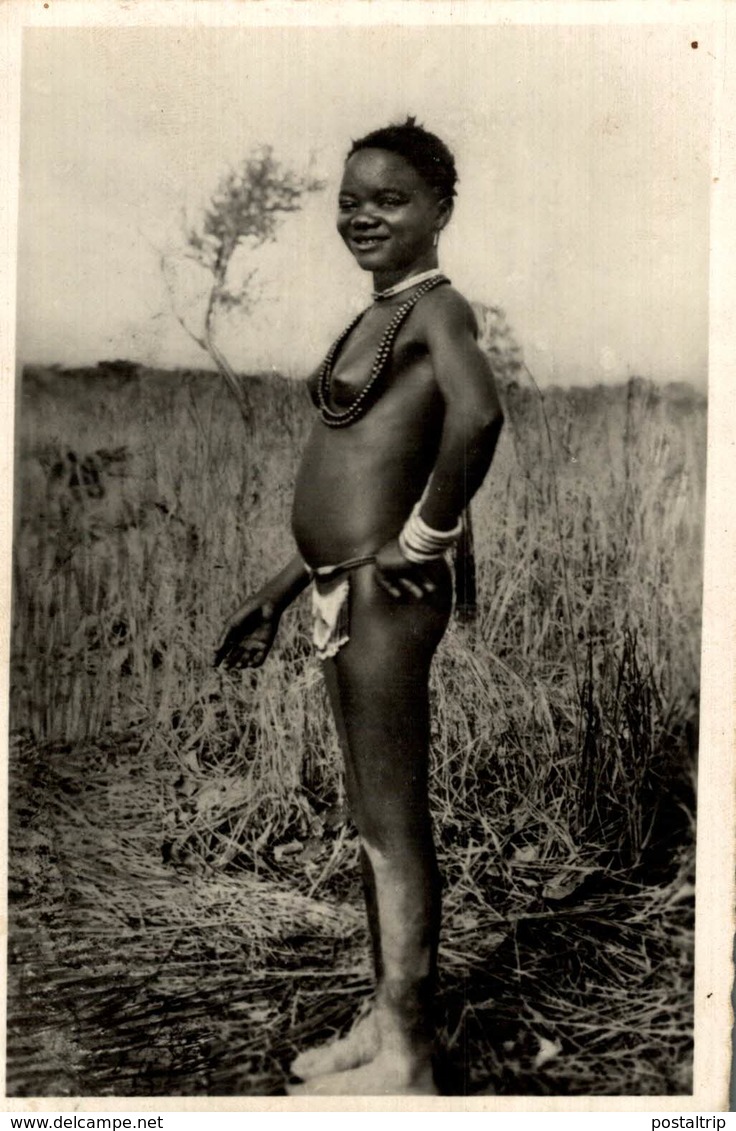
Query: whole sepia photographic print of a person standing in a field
[(358, 560)]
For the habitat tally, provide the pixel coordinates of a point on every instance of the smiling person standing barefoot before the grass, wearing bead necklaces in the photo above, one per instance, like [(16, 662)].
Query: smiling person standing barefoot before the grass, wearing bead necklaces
[(408, 424)]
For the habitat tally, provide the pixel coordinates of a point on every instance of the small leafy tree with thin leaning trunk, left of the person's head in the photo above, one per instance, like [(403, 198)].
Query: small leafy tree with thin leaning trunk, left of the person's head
[(244, 212)]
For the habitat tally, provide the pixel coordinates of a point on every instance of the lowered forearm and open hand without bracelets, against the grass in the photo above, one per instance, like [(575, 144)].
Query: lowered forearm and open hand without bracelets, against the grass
[(249, 635)]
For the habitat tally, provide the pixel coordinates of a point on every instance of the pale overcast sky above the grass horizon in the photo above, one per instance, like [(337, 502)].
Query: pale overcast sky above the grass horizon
[(583, 208)]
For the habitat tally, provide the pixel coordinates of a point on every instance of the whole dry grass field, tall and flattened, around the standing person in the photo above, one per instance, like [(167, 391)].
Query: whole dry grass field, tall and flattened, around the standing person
[(185, 903)]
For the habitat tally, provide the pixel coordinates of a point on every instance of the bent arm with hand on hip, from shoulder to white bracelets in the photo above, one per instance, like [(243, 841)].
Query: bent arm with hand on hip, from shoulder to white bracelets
[(473, 417)]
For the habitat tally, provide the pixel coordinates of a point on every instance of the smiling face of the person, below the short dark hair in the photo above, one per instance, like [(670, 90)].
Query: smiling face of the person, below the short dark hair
[(388, 214)]
